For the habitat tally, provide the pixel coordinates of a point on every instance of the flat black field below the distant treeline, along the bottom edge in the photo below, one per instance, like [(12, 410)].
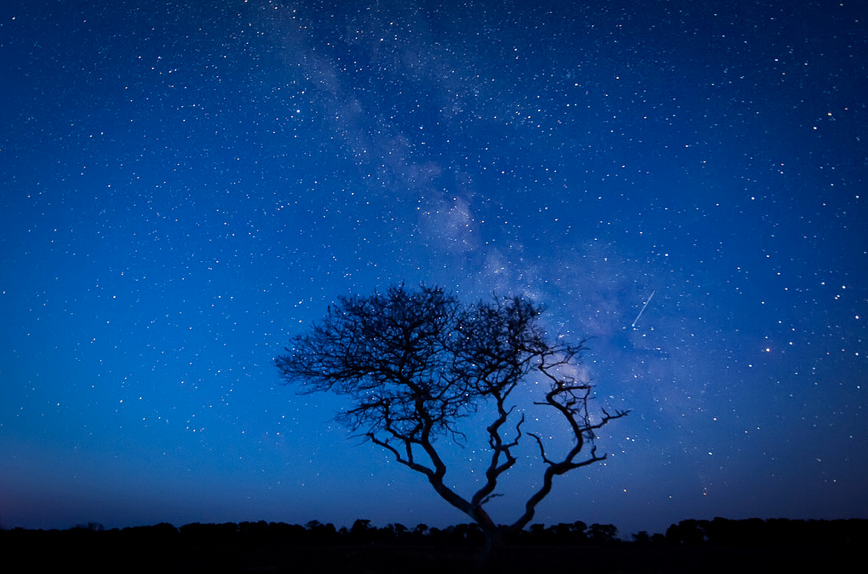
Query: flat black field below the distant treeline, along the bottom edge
[(380, 558)]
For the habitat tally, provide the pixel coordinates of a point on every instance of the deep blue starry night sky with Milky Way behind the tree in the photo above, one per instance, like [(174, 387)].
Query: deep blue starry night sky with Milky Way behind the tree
[(186, 185)]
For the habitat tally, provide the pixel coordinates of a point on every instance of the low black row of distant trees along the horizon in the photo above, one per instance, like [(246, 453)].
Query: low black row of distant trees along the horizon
[(717, 532)]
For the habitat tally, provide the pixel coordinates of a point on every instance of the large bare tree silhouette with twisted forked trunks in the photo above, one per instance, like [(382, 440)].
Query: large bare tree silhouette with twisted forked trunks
[(415, 362)]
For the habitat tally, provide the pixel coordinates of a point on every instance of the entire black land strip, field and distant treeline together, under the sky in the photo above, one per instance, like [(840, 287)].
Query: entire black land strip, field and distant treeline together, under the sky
[(717, 546)]
